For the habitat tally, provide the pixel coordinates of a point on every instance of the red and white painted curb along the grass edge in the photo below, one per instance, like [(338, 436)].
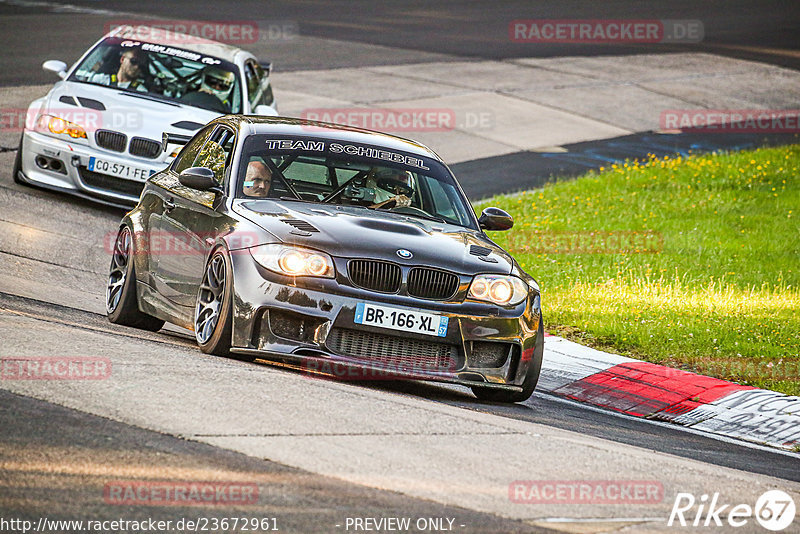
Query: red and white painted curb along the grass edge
[(657, 392)]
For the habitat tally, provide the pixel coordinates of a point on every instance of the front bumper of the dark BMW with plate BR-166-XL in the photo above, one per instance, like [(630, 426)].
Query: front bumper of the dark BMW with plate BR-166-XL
[(311, 326)]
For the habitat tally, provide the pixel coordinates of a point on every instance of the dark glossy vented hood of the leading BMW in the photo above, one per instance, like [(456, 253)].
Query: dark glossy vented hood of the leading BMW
[(353, 232)]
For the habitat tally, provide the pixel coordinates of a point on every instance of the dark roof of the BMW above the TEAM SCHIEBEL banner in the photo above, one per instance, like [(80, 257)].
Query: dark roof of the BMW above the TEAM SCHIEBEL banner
[(257, 124)]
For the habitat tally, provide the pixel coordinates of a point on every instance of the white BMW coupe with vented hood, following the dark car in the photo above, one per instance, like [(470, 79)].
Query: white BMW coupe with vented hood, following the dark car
[(97, 133)]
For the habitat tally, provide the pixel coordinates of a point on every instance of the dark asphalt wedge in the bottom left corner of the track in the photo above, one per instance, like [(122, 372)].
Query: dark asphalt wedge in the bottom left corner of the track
[(299, 501)]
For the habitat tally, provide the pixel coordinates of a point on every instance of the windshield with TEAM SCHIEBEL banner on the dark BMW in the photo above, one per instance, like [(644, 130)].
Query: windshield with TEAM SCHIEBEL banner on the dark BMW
[(325, 171)]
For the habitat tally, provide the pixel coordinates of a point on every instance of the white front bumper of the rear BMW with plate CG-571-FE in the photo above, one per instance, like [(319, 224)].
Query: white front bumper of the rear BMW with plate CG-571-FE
[(72, 175)]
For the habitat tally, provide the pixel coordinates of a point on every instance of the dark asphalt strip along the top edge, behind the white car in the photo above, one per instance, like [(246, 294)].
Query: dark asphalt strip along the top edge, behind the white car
[(761, 30)]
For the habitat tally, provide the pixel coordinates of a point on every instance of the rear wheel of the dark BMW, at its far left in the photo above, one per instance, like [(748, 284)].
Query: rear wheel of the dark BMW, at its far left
[(122, 306)]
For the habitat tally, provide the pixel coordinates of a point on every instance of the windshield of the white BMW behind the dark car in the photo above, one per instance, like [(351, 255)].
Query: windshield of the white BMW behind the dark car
[(164, 72)]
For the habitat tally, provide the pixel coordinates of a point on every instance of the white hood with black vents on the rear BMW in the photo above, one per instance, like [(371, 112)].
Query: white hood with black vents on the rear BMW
[(135, 115)]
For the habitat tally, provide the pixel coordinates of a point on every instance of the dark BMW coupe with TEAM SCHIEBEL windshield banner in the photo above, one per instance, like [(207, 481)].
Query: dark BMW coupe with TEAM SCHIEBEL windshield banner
[(327, 247)]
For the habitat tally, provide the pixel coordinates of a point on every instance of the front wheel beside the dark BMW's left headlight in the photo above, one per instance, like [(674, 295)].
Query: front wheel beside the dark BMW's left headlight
[(213, 316)]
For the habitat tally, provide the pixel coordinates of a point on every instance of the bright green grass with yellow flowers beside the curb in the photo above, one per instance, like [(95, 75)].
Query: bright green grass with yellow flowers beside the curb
[(713, 284)]
